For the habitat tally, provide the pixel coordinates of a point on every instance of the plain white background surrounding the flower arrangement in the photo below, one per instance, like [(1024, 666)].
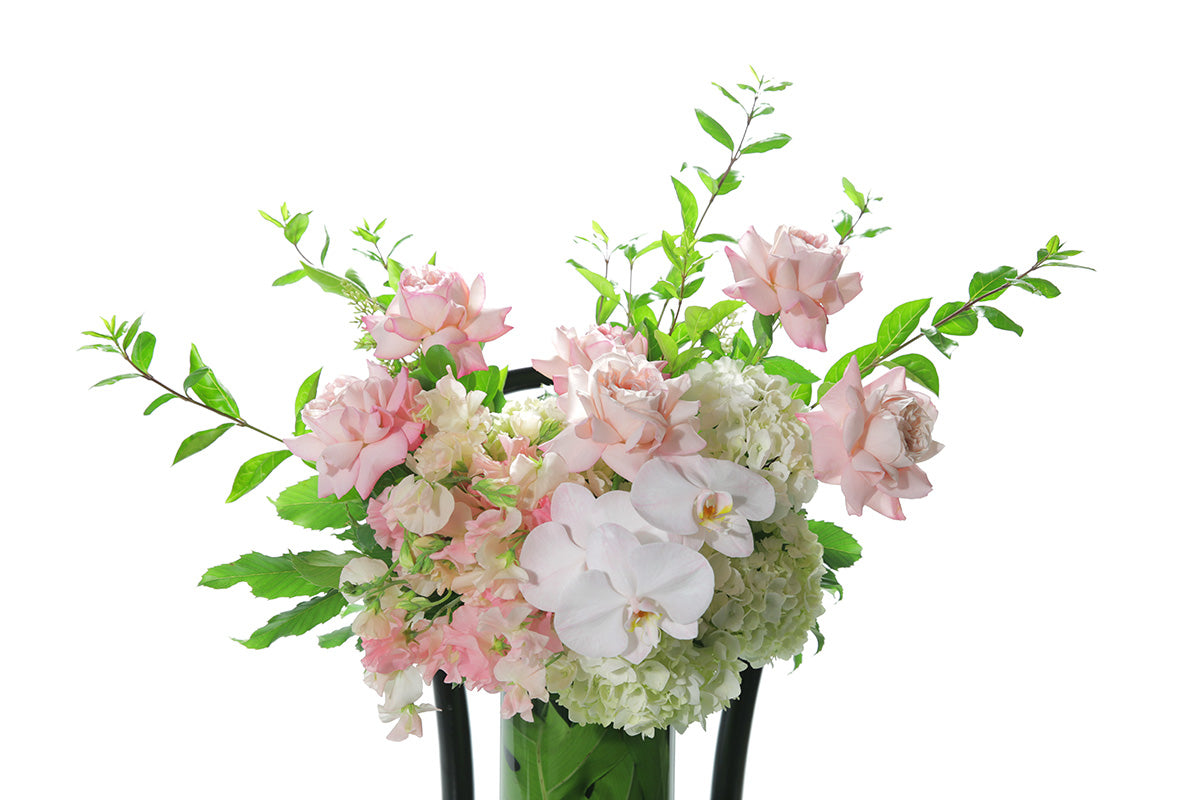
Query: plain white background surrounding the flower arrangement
[(1030, 631)]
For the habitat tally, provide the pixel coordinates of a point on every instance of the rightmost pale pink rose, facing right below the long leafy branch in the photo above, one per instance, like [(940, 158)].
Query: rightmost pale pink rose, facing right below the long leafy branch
[(871, 440)]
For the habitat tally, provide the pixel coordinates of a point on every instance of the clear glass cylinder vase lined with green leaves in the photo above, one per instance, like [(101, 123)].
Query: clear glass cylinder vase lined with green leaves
[(553, 759)]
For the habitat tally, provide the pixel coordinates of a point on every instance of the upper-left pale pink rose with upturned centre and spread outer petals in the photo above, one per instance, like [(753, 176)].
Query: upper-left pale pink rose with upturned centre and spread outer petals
[(437, 308)]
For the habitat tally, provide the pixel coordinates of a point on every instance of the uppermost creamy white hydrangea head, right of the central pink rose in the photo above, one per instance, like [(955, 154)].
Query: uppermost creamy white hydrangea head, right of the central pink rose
[(749, 418)]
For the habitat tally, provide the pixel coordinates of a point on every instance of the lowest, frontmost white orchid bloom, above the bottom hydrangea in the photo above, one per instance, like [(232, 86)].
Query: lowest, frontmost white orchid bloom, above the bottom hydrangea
[(631, 593)]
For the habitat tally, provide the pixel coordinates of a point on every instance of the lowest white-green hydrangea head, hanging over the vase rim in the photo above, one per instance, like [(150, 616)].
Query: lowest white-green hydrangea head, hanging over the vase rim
[(681, 683)]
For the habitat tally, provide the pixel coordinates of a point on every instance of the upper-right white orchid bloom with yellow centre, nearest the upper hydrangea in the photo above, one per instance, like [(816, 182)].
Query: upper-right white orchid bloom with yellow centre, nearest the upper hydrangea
[(704, 500)]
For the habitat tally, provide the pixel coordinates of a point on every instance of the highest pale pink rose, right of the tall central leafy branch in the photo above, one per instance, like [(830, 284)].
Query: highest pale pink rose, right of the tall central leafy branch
[(799, 279)]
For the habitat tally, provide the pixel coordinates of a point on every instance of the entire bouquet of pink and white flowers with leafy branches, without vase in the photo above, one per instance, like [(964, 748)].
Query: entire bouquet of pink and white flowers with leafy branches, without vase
[(626, 544)]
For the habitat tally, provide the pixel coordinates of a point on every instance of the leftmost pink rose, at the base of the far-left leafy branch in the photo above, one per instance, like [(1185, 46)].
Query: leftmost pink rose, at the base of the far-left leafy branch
[(361, 430)]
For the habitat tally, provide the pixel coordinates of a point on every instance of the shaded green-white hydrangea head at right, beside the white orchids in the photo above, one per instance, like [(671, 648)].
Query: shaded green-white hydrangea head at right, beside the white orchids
[(770, 600)]
